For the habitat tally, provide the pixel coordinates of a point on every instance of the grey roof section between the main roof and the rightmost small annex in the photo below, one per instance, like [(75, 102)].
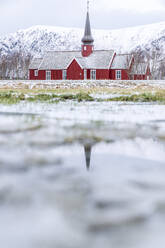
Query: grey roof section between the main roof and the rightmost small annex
[(122, 61)]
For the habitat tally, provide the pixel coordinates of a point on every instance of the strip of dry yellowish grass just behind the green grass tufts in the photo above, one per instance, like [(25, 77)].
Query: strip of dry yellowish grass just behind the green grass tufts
[(124, 88)]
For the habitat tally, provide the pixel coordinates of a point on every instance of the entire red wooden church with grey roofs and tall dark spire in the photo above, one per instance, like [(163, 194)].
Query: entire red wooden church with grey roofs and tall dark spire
[(87, 64)]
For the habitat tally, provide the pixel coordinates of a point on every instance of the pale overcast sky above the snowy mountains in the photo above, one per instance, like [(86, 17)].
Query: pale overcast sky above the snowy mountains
[(105, 14)]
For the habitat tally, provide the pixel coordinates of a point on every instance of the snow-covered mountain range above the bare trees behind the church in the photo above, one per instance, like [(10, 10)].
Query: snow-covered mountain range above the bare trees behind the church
[(38, 39)]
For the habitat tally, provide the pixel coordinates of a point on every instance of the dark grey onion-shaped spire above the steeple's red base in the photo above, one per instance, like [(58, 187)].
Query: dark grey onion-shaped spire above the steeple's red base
[(87, 39)]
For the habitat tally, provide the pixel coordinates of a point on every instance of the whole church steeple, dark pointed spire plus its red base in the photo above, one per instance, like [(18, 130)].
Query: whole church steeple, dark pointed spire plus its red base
[(87, 40)]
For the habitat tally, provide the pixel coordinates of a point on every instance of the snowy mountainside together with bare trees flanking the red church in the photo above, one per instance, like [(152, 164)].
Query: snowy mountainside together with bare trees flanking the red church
[(19, 48)]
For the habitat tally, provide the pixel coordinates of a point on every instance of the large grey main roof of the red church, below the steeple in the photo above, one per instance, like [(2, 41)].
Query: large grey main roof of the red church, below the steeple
[(56, 60)]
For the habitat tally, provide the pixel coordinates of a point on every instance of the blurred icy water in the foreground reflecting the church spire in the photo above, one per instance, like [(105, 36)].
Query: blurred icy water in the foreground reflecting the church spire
[(82, 175)]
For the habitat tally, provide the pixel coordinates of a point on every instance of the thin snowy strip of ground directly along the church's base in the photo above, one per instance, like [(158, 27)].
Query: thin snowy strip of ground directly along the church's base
[(19, 84)]
